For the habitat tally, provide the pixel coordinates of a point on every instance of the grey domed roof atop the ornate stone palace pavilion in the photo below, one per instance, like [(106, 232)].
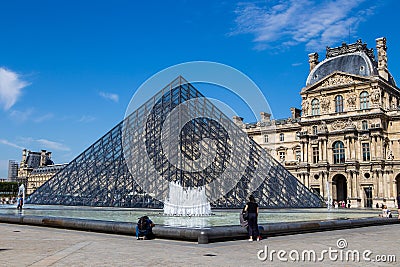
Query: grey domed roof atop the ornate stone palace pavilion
[(353, 59)]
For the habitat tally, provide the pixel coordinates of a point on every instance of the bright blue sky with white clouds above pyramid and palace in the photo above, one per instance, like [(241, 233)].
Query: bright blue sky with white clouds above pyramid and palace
[(68, 69)]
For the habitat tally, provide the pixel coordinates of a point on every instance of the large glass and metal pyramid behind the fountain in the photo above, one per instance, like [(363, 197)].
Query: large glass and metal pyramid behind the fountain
[(111, 172)]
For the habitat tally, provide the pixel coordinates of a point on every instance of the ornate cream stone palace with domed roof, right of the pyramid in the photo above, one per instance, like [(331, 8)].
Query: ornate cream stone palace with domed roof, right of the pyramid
[(345, 141)]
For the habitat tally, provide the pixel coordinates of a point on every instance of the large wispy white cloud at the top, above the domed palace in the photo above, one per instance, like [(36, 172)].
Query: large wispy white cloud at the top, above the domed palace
[(281, 24)]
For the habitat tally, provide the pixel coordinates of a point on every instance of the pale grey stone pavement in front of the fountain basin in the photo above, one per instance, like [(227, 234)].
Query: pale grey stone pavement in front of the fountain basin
[(24, 245)]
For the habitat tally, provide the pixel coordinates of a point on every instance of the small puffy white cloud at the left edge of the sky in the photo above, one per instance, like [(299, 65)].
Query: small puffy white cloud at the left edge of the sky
[(10, 88)]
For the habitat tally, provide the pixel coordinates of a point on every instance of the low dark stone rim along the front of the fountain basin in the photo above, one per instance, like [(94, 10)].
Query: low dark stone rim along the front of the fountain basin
[(200, 235)]
